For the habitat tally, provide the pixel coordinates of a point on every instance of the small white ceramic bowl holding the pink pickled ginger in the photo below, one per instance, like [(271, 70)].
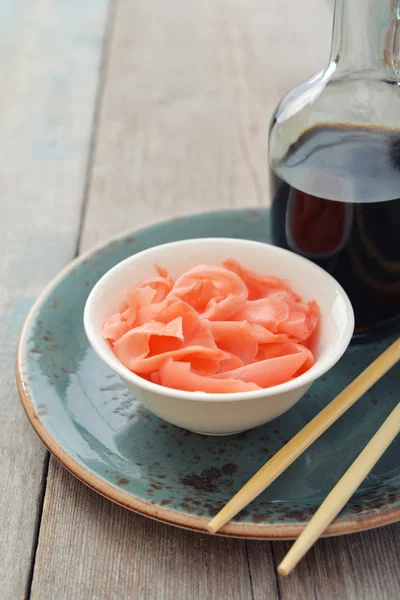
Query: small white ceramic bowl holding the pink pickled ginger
[(223, 414)]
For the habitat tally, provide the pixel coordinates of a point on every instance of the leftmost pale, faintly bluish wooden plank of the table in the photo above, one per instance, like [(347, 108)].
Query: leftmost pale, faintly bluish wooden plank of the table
[(48, 74)]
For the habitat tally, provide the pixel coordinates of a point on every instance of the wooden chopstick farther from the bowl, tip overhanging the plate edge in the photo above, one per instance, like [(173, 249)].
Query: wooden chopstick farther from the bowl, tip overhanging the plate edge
[(342, 491)]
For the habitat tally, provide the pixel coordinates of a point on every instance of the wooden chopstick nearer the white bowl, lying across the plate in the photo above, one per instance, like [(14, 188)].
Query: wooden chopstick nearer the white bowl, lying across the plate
[(302, 440)]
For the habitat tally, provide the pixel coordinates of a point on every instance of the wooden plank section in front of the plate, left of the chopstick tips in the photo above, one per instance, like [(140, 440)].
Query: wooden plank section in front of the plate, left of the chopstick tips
[(91, 548)]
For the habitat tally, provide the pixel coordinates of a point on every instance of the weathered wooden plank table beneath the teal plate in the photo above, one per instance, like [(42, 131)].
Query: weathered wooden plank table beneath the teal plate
[(115, 114)]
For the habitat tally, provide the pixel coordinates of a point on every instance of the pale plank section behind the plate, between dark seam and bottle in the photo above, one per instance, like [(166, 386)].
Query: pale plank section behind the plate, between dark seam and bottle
[(191, 87)]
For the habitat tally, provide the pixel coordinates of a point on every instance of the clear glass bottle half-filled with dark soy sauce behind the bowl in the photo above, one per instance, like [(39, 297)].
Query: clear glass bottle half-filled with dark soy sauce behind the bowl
[(334, 152)]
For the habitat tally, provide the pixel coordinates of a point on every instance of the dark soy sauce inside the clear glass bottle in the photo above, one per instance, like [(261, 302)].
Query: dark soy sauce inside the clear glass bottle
[(336, 201)]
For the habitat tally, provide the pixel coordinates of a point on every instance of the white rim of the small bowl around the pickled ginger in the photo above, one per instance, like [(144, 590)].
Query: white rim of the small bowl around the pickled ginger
[(307, 378)]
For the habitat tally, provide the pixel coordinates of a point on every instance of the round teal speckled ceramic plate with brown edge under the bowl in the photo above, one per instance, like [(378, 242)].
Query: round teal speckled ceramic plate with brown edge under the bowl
[(98, 431)]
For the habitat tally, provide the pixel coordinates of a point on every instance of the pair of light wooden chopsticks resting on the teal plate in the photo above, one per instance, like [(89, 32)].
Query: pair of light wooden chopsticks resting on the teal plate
[(350, 481)]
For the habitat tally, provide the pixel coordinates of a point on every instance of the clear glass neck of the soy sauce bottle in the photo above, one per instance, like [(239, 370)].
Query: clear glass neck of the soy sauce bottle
[(366, 38)]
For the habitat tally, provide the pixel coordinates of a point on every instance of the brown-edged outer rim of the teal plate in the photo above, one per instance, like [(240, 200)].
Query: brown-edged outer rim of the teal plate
[(268, 531)]
